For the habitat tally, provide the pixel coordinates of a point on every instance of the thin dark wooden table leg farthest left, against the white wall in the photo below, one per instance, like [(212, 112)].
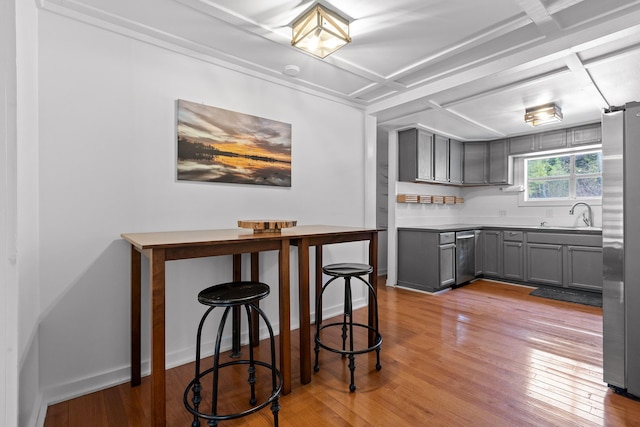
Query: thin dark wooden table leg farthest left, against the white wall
[(136, 301)]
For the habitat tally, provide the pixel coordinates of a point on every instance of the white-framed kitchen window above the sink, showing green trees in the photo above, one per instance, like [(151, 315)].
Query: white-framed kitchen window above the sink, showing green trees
[(563, 177)]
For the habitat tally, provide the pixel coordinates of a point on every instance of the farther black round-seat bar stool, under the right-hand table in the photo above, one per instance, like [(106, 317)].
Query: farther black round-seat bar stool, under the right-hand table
[(347, 271)]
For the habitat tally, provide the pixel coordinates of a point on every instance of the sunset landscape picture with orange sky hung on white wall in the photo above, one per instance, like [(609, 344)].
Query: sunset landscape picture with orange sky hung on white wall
[(218, 145)]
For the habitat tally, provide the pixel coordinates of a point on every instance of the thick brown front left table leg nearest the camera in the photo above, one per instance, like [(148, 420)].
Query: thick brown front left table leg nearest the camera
[(158, 378)]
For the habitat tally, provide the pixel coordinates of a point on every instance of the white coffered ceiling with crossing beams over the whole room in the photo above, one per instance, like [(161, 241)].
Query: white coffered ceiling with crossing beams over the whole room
[(463, 68)]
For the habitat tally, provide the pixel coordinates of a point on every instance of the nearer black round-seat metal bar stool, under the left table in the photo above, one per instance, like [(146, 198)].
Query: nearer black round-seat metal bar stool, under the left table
[(229, 295)]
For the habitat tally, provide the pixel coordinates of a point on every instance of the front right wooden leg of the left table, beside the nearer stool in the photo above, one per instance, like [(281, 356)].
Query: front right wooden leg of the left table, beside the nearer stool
[(285, 316)]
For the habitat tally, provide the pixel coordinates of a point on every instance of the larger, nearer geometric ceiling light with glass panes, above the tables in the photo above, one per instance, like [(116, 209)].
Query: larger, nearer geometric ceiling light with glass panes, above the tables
[(320, 31)]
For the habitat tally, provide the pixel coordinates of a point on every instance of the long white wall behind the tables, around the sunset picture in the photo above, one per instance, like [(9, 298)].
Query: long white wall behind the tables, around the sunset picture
[(107, 155)]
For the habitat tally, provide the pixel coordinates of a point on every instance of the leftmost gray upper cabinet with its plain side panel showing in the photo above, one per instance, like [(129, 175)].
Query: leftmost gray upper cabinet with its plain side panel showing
[(415, 155)]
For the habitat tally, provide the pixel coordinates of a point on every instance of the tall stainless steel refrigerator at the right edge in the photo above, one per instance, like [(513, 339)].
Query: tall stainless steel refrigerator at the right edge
[(621, 247)]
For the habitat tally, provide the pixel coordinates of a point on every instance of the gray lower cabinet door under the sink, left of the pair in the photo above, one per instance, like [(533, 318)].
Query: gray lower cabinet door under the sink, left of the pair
[(544, 264)]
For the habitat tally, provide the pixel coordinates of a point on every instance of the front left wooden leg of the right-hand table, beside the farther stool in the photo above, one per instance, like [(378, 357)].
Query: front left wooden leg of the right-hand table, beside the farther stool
[(305, 313)]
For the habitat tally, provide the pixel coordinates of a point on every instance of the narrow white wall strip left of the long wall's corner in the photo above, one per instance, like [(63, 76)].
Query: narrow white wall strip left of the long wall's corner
[(27, 227)]
